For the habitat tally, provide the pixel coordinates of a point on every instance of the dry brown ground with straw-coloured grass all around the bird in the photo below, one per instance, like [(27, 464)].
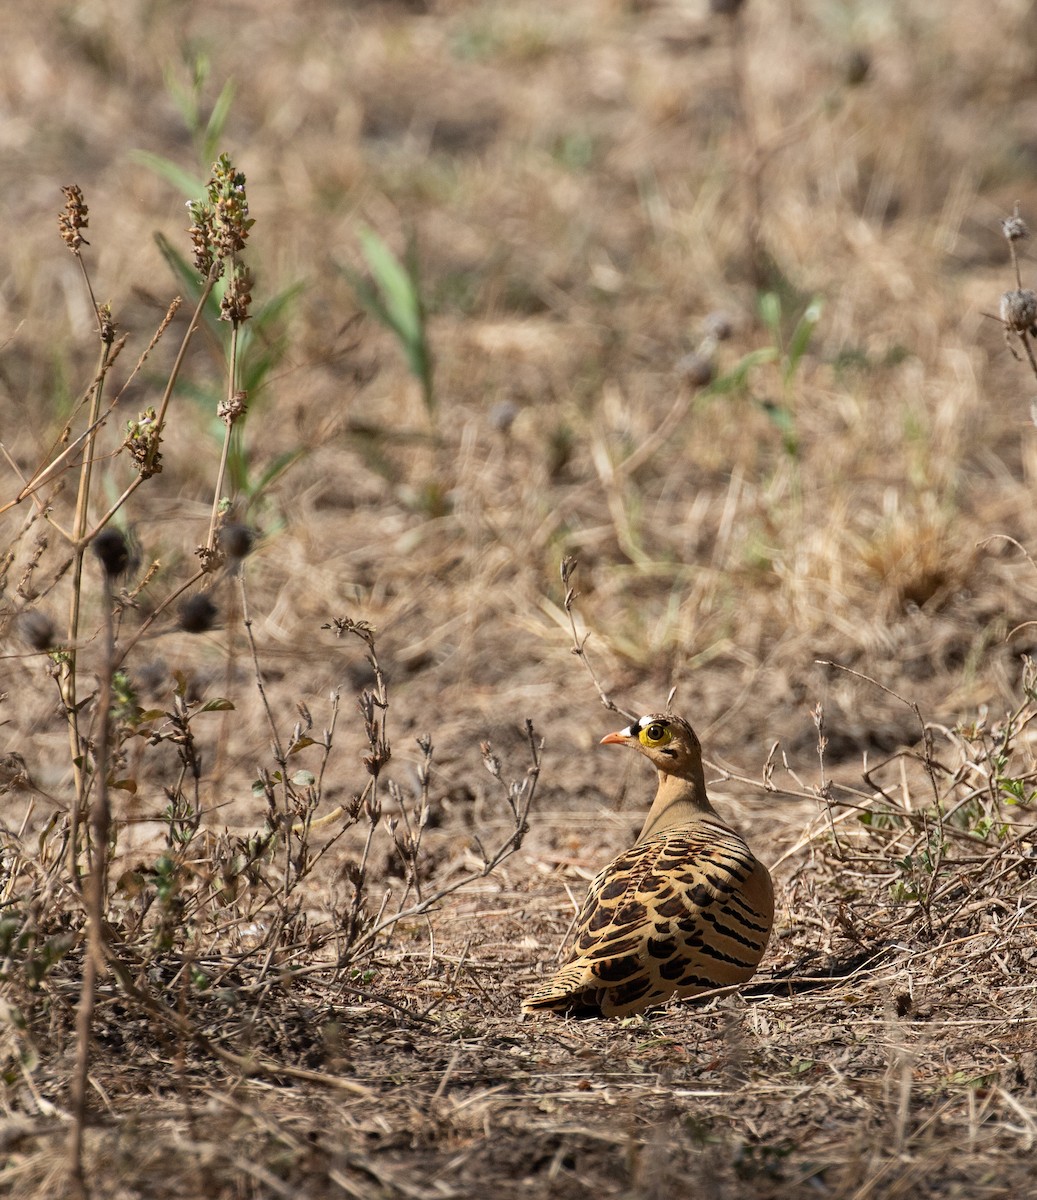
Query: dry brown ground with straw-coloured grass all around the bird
[(595, 191)]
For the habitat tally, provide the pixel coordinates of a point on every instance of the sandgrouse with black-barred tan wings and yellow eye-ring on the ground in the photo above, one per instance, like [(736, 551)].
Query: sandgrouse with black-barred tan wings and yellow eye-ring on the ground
[(687, 909)]
